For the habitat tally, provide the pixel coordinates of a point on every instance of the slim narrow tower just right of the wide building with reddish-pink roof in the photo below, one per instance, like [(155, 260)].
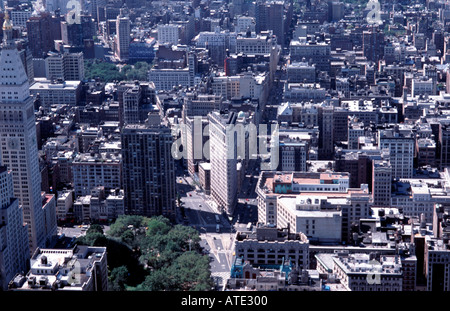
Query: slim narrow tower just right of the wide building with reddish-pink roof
[(381, 183)]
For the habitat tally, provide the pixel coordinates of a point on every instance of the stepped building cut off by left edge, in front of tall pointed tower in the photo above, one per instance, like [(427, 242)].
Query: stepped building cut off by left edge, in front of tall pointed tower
[(14, 251)]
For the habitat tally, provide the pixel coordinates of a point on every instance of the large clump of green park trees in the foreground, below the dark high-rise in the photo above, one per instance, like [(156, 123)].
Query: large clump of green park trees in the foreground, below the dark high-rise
[(151, 254)]
